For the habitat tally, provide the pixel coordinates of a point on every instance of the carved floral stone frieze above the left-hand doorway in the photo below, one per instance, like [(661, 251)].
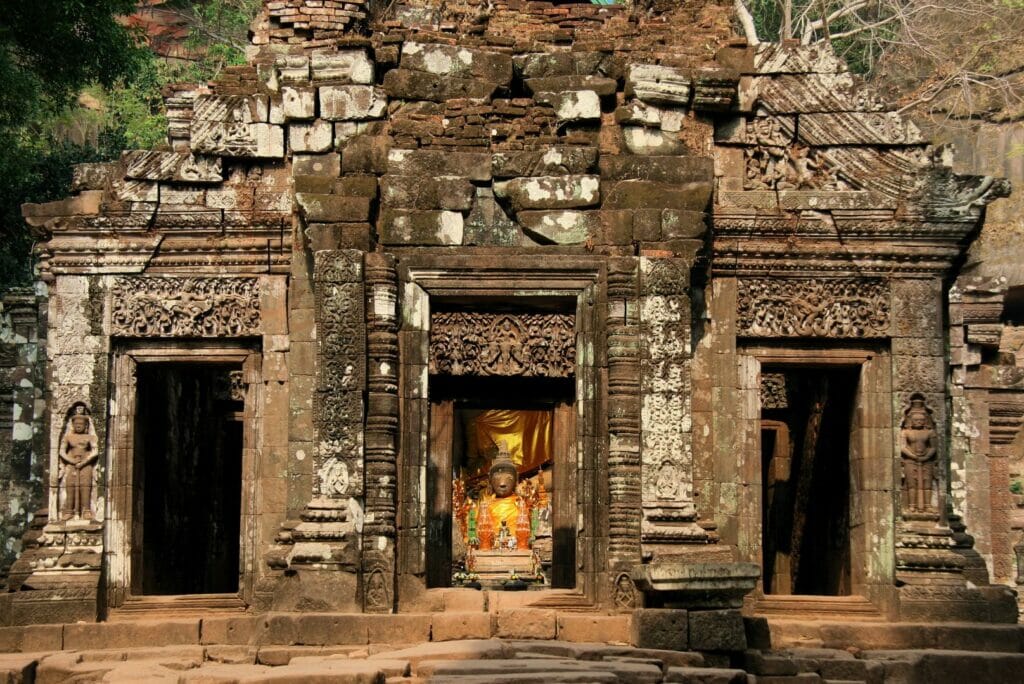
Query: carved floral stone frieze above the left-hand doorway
[(186, 308)]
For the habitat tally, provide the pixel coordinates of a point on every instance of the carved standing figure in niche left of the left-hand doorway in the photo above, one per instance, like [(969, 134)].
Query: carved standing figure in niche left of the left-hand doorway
[(78, 453)]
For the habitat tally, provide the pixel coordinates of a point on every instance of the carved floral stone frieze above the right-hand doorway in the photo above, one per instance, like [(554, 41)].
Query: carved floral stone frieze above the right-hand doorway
[(803, 308)]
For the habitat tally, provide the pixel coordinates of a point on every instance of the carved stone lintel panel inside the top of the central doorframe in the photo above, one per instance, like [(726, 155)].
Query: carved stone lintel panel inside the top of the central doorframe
[(503, 345)]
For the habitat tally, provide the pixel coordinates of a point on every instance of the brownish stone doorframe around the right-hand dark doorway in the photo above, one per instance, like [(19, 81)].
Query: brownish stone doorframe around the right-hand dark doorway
[(874, 485)]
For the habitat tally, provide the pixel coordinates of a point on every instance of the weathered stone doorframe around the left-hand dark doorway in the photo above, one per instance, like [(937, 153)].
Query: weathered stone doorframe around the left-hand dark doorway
[(121, 558)]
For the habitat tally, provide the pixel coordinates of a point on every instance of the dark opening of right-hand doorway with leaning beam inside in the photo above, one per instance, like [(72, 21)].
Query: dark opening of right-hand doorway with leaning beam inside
[(805, 460)]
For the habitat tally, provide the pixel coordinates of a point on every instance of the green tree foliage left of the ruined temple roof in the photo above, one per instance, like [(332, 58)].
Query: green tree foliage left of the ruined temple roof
[(56, 54)]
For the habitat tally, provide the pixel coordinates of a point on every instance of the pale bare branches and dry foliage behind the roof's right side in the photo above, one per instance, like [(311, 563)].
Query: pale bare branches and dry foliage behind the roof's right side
[(956, 57)]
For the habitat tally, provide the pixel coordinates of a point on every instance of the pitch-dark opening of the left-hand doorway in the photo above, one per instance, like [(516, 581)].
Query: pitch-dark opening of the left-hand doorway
[(187, 480)]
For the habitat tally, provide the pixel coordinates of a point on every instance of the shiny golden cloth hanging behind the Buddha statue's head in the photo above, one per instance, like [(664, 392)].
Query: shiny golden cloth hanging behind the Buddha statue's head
[(528, 435)]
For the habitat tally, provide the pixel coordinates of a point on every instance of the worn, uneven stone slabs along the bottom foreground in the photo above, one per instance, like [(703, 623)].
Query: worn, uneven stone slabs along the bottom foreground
[(502, 661)]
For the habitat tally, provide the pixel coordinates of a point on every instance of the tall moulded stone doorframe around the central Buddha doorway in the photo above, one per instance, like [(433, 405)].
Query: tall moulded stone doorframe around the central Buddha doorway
[(517, 279)]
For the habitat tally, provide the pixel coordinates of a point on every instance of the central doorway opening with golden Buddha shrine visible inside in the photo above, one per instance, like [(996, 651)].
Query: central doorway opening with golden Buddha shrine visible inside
[(481, 531)]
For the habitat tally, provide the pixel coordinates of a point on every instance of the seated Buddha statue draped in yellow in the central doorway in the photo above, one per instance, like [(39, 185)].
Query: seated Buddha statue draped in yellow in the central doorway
[(503, 520)]
